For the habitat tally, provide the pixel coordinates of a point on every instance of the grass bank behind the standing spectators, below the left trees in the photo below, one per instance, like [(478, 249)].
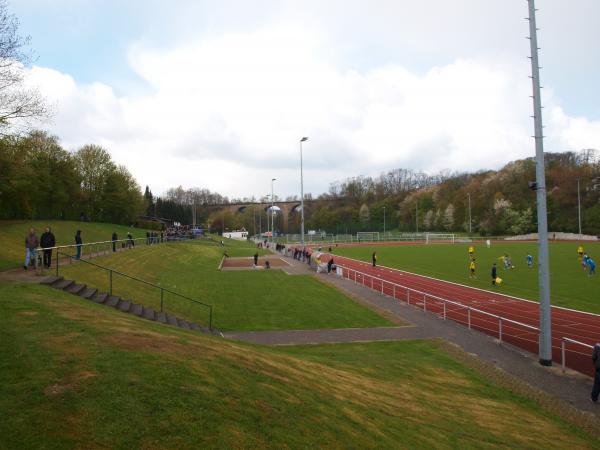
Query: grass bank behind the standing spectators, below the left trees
[(12, 235)]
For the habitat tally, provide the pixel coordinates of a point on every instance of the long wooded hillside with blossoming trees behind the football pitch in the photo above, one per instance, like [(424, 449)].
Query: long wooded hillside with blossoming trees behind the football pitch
[(501, 202)]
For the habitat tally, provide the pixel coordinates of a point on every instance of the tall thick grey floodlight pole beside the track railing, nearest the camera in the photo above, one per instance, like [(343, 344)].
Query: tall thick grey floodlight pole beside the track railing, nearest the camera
[(545, 343)]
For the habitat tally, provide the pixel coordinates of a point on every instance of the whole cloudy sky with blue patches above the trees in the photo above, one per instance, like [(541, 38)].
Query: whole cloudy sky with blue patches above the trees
[(218, 94)]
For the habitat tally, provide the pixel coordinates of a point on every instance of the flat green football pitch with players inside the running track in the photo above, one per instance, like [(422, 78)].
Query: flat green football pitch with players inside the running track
[(570, 285)]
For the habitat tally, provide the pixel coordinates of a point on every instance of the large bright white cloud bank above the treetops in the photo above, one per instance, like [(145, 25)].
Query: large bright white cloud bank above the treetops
[(227, 113)]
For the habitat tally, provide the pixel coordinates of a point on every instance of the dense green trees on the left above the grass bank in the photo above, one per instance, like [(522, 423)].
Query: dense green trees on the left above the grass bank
[(41, 180)]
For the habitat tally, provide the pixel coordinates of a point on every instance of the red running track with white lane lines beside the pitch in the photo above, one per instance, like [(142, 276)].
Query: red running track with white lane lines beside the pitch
[(580, 326)]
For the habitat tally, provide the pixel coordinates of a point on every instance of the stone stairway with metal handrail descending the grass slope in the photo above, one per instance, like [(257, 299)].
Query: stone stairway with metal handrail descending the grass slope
[(126, 306)]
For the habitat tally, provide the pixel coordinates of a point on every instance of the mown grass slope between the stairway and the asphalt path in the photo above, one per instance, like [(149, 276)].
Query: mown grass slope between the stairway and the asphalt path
[(243, 300)]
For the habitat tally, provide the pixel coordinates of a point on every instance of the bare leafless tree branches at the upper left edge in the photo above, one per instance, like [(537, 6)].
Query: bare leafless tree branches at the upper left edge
[(19, 104)]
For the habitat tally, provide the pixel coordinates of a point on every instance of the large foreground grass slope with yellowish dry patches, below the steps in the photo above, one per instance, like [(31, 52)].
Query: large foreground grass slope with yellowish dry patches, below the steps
[(74, 374)]
